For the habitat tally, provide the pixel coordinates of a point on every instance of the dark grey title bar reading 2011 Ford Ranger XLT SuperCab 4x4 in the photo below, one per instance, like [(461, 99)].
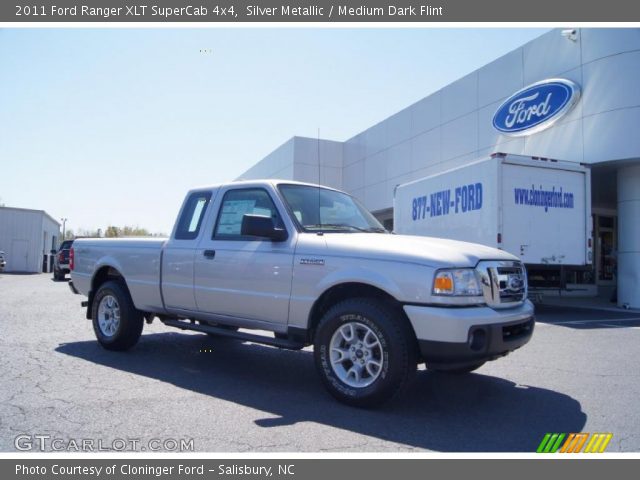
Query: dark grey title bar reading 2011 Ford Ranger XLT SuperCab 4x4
[(319, 11)]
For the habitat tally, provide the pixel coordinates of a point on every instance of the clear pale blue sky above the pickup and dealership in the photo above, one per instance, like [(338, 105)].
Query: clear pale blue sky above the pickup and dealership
[(112, 126)]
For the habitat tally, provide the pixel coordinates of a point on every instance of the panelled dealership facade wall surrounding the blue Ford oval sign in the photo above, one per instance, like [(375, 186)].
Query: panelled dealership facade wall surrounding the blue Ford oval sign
[(453, 125)]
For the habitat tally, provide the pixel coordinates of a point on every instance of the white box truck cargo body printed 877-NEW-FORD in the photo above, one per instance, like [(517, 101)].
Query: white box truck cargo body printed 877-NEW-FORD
[(537, 209)]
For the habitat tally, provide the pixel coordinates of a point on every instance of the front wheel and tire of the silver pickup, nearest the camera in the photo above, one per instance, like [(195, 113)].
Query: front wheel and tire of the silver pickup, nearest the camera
[(365, 352)]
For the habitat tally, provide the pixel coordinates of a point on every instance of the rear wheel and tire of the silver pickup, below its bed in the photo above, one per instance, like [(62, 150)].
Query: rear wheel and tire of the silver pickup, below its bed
[(116, 322)]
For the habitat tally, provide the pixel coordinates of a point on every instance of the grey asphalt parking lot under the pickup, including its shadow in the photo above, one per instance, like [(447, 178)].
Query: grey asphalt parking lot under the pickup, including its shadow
[(580, 372)]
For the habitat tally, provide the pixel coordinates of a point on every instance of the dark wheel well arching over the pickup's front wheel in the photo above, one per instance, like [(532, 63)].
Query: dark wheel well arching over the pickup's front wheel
[(344, 291)]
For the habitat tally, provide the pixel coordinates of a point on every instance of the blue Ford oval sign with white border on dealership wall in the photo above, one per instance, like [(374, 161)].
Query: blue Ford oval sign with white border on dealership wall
[(536, 107)]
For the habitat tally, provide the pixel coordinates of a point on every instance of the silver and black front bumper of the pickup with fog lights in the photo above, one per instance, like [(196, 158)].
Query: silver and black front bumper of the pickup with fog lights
[(473, 334)]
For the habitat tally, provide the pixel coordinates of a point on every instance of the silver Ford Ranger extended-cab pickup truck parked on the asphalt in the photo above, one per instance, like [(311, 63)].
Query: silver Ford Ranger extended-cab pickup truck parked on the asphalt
[(291, 265)]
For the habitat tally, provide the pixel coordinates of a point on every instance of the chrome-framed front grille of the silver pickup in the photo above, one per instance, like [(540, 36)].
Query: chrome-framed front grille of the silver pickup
[(504, 283)]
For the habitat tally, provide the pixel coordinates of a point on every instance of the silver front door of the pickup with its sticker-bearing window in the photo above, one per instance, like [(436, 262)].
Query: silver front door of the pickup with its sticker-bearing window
[(244, 277)]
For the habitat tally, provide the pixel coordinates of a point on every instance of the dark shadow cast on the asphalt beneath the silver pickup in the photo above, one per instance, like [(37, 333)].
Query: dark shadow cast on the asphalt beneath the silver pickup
[(438, 412)]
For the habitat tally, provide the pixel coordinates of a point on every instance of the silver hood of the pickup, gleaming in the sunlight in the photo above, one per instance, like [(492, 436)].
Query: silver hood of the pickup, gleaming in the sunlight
[(431, 251)]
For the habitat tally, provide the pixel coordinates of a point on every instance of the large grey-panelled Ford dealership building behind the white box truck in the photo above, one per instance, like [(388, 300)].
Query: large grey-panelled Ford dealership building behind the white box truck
[(598, 126)]
